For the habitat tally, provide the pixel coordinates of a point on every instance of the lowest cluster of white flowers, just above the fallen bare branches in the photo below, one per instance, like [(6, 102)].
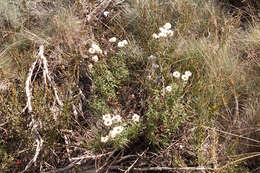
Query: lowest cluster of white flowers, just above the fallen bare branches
[(109, 120)]
